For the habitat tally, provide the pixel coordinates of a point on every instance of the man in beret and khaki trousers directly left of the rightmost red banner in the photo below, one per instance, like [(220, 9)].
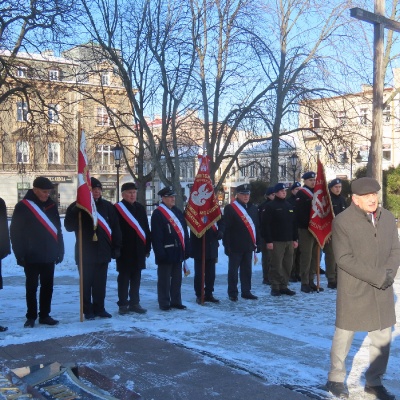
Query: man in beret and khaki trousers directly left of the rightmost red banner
[(307, 243)]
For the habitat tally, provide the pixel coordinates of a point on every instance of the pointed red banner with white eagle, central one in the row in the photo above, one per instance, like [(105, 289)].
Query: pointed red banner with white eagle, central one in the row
[(202, 210)]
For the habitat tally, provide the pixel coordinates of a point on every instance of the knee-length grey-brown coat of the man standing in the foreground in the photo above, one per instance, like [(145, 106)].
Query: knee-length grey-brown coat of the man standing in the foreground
[(363, 253)]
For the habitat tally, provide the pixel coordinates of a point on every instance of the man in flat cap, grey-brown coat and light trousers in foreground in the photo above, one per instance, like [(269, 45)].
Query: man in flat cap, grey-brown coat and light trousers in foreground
[(367, 251)]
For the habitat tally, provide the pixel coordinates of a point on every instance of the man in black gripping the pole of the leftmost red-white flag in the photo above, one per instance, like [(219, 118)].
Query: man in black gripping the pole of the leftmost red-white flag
[(96, 254)]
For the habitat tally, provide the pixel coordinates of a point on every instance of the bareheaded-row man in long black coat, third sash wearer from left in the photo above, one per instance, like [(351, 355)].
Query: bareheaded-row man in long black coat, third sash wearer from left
[(136, 246)]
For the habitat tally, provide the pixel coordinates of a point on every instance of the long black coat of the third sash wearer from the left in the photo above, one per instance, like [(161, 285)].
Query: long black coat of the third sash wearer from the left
[(133, 251)]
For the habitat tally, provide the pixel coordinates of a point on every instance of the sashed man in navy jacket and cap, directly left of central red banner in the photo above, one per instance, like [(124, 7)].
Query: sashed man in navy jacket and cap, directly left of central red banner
[(171, 246)]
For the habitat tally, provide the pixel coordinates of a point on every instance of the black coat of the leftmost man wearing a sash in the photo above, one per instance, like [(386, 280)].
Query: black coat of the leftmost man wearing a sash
[(31, 241)]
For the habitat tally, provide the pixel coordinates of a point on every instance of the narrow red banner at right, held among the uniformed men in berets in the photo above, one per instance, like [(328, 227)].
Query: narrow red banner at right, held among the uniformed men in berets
[(321, 215)]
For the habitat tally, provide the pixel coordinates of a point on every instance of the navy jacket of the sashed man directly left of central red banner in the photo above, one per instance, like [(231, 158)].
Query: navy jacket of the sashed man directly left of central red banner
[(167, 246)]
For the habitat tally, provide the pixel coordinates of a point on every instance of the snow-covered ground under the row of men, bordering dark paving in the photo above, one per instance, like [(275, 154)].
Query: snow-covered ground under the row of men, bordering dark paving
[(285, 340)]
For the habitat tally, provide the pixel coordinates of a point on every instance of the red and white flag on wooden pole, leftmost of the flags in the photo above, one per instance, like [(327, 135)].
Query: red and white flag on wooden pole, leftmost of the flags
[(84, 197)]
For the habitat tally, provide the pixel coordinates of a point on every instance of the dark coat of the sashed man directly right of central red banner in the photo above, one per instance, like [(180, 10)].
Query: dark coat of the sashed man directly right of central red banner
[(236, 235)]
